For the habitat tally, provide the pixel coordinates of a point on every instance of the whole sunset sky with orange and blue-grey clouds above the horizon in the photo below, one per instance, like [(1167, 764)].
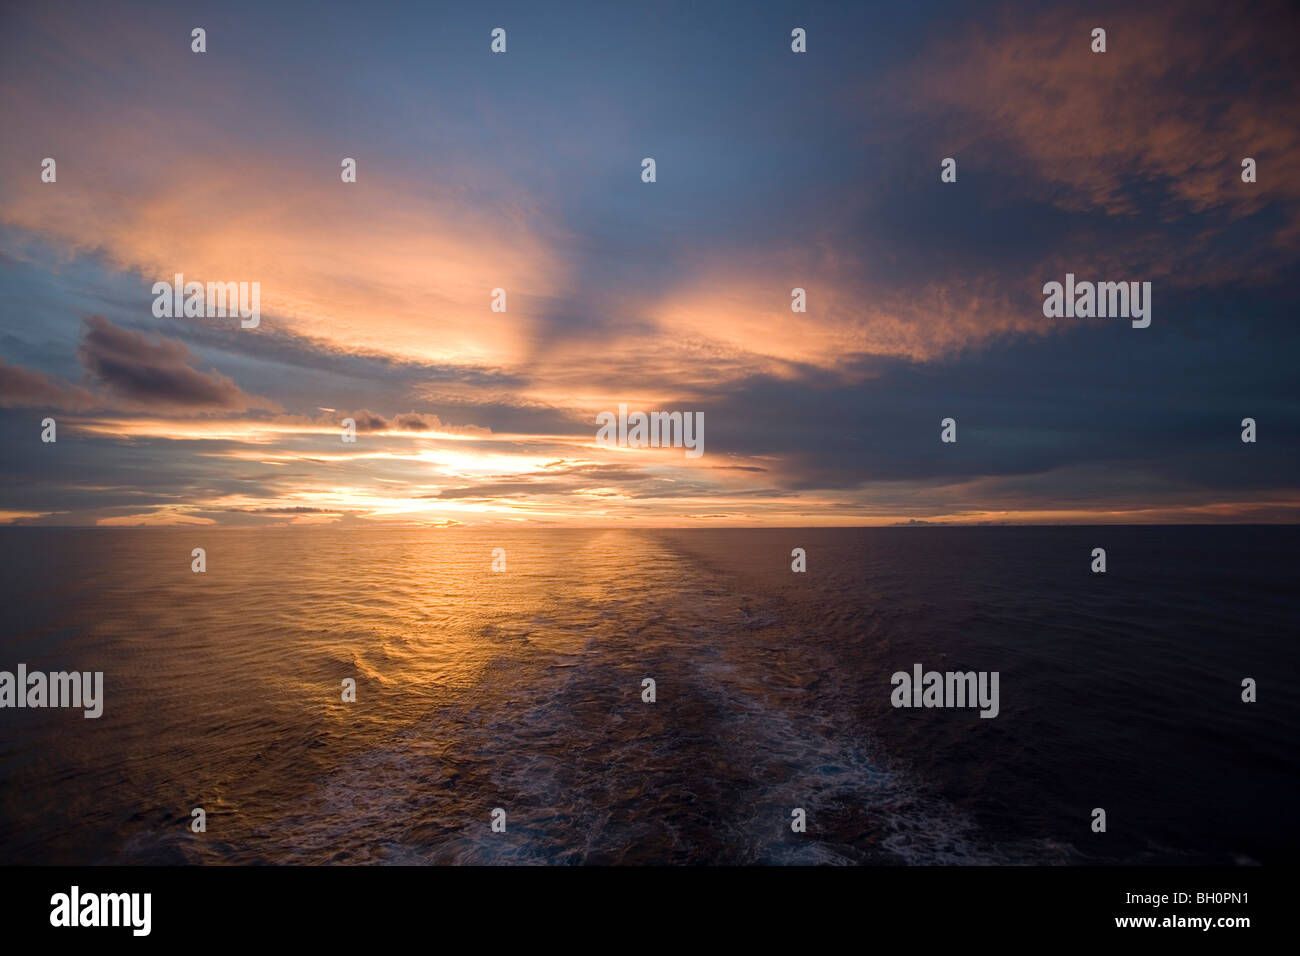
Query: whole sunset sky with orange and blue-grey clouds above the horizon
[(523, 171)]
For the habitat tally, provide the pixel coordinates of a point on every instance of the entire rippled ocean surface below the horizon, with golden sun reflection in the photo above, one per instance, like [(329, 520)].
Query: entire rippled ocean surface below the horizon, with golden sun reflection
[(522, 690)]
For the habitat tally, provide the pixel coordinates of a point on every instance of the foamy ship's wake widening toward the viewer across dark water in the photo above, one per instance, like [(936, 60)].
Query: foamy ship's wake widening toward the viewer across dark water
[(590, 773)]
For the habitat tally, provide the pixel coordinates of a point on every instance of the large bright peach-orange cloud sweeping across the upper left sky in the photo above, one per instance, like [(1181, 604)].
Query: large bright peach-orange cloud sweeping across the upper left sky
[(398, 263)]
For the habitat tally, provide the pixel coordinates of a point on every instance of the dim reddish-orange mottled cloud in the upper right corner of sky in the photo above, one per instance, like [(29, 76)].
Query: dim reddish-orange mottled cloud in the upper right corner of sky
[(1136, 128)]
